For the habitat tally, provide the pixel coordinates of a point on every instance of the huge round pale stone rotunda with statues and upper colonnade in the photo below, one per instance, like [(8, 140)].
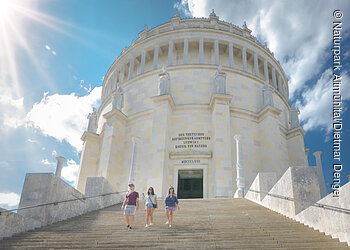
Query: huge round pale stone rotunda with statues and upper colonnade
[(199, 104)]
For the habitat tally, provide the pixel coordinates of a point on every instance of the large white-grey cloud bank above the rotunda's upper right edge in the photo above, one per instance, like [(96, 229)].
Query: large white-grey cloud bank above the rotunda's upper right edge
[(298, 32)]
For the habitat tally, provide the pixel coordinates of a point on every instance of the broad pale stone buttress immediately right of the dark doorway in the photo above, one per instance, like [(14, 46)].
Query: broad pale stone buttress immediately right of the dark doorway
[(220, 173)]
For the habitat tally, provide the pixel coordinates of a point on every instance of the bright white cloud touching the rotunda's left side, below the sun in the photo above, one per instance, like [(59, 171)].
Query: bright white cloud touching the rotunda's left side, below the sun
[(64, 116)]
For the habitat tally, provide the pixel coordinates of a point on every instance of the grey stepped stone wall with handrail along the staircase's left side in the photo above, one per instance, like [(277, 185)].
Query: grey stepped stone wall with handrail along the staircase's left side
[(46, 188)]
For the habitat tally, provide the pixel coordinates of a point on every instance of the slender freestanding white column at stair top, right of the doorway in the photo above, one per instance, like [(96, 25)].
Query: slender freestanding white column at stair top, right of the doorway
[(240, 192)]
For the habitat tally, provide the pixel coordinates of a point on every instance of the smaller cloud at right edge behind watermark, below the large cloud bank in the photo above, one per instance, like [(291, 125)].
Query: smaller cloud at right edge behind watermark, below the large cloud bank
[(316, 108)]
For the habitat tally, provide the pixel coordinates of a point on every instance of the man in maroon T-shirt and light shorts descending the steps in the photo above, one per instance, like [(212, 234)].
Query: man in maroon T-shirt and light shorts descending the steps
[(130, 206)]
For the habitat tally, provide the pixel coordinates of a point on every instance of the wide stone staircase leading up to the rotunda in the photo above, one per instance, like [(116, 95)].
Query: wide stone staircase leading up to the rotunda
[(200, 224)]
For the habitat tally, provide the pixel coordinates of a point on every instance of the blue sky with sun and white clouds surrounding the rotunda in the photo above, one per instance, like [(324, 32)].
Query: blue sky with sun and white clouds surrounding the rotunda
[(55, 53)]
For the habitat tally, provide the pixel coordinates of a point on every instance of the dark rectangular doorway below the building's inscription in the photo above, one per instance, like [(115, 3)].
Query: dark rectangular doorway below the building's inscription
[(190, 184)]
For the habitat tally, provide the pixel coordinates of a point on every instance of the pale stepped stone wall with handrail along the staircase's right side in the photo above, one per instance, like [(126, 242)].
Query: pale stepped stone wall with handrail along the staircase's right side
[(300, 185)]
